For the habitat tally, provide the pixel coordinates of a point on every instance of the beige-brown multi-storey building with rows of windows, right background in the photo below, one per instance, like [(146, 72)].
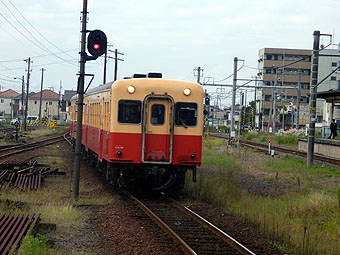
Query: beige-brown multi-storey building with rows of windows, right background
[(282, 67)]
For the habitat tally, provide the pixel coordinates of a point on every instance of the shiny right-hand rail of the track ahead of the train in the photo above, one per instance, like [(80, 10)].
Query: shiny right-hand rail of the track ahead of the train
[(231, 241)]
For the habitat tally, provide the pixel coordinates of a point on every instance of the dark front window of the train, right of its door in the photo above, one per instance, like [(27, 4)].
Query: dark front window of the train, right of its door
[(186, 114)]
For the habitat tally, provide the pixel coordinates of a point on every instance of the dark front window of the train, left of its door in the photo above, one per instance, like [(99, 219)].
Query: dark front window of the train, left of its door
[(129, 111)]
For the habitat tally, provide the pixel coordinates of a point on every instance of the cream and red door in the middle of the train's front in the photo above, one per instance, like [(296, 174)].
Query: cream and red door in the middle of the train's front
[(157, 130)]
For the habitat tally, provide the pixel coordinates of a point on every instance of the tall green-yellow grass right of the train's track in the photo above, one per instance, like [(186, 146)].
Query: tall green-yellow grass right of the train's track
[(305, 221)]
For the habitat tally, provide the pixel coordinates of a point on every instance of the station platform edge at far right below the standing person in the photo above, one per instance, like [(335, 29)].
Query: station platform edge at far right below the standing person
[(327, 147)]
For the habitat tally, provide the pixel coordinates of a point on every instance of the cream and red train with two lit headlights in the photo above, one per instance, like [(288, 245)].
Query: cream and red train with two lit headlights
[(142, 131)]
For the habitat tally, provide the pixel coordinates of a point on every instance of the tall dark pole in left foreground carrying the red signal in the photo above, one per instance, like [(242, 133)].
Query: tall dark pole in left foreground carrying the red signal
[(80, 104)]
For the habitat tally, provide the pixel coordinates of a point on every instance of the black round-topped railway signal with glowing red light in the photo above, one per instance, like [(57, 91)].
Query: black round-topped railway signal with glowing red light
[(96, 44)]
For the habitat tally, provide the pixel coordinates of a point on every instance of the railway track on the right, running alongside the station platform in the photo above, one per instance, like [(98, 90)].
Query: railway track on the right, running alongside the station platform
[(264, 147)]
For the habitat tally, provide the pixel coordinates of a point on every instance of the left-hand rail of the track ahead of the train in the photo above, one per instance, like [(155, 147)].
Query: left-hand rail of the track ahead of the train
[(185, 247)]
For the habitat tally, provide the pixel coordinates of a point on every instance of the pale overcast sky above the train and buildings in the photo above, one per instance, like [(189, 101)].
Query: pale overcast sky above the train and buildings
[(169, 36)]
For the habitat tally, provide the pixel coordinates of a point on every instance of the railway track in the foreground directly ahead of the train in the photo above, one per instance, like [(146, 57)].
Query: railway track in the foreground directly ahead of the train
[(194, 234)]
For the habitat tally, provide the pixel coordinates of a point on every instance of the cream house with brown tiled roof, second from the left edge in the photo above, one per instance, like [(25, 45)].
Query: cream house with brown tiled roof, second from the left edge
[(49, 104)]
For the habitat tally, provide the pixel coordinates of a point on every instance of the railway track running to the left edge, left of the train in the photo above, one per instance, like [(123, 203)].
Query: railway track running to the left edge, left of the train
[(19, 148)]
